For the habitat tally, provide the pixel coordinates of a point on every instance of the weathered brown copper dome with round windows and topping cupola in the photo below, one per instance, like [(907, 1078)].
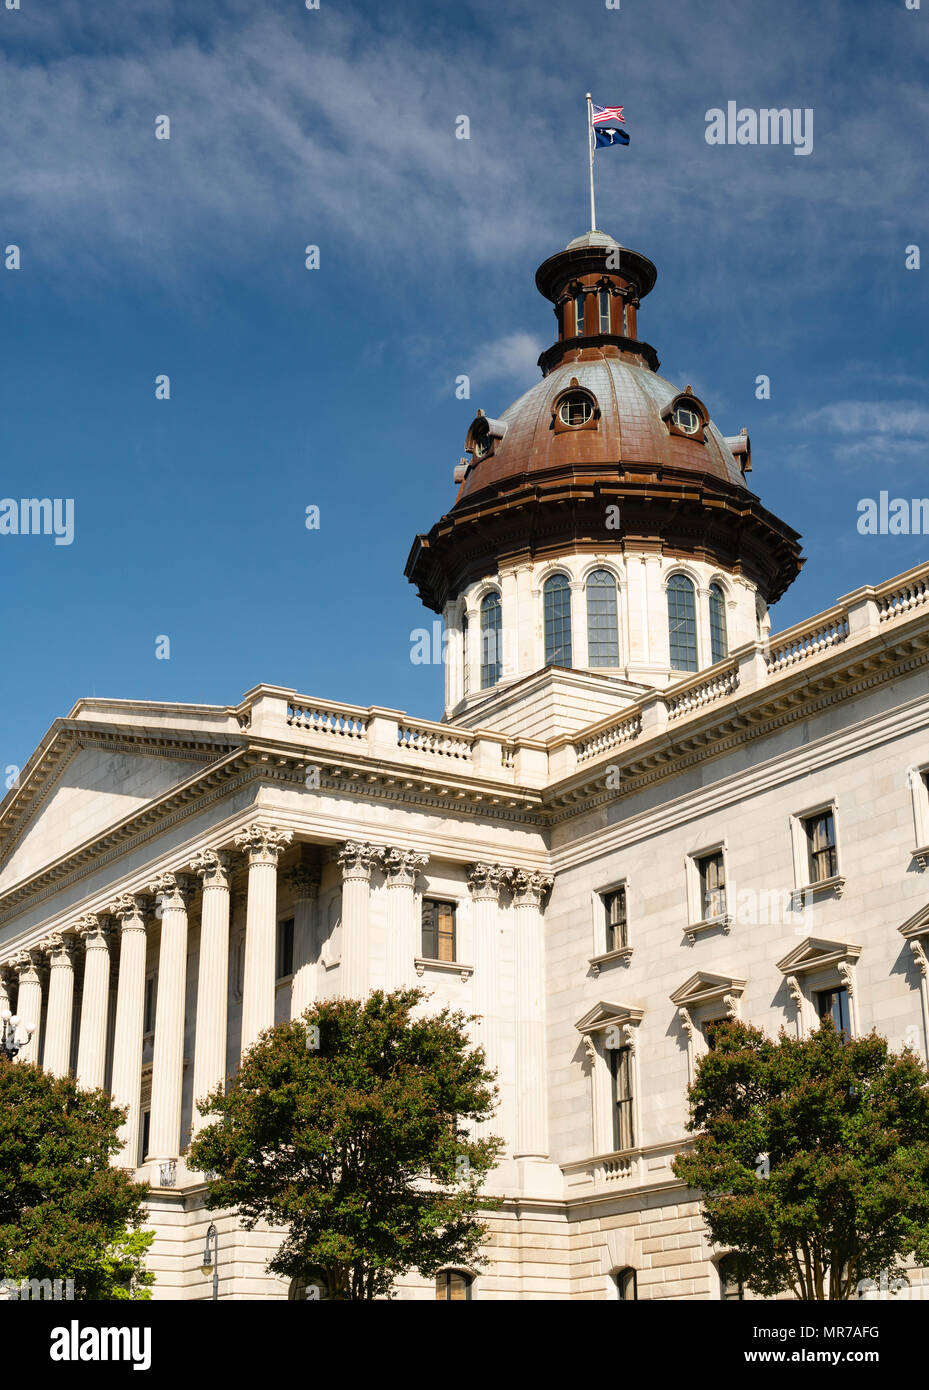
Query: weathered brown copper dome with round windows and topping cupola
[(603, 454)]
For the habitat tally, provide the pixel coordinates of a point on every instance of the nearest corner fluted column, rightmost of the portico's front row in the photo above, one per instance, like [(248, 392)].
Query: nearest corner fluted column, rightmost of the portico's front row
[(264, 846)]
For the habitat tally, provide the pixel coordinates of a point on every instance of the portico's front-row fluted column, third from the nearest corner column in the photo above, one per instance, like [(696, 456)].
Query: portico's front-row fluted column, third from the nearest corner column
[(168, 1063)]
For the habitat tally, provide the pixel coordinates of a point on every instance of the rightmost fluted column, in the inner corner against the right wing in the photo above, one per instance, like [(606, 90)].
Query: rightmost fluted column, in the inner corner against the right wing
[(532, 1111)]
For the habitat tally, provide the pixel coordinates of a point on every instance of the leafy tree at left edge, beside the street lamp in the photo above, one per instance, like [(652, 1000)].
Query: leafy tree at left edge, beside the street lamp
[(66, 1213)]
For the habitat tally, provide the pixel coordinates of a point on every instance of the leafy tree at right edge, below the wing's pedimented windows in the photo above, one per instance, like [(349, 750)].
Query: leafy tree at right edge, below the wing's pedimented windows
[(813, 1156)]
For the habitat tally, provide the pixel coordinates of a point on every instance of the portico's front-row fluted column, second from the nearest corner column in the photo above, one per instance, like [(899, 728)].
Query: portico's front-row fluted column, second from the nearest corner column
[(209, 1053)]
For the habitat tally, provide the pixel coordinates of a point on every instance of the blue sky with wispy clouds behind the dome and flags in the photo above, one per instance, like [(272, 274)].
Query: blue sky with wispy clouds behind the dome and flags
[(337, 387)]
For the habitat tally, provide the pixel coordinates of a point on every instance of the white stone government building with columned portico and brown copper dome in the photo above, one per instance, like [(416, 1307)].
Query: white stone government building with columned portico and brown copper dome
[(642, 814)]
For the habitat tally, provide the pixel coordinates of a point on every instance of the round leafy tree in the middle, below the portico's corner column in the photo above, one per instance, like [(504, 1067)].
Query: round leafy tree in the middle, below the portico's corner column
[(346, 1129)]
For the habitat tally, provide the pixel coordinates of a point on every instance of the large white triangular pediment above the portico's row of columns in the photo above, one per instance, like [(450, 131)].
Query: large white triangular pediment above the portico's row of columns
[(86, 782)]
